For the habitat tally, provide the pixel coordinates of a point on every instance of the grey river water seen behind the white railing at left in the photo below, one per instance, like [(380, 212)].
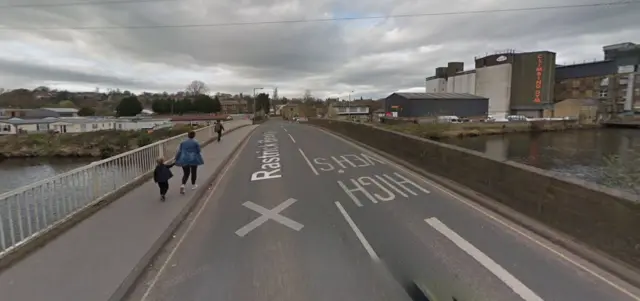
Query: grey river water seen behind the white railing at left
[(15, 173)]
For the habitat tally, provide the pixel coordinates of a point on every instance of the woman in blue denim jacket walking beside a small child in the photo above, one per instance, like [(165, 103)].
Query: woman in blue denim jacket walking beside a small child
[(189, 157)]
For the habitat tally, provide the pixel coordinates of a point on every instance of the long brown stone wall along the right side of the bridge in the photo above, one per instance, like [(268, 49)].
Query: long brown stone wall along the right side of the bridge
[(603, 218)]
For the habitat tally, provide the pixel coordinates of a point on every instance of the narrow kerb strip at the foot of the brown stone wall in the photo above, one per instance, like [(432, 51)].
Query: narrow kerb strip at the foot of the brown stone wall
[(611, 265)]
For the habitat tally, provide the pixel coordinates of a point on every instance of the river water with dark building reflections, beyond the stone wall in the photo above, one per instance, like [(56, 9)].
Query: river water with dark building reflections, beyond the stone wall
[(578, 153)]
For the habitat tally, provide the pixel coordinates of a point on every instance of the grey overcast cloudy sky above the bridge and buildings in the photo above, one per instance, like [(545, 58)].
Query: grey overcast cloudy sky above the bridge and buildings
[(147, 45)]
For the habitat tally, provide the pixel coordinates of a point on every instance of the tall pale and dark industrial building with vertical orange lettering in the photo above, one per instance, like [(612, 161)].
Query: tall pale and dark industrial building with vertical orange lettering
[(514, 83)]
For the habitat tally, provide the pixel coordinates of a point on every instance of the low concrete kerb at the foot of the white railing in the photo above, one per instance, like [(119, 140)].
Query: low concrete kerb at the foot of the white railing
[(40, 240)]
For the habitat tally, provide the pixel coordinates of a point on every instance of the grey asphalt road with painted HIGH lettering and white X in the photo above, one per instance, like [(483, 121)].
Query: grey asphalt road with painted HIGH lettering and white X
[(330, 221)]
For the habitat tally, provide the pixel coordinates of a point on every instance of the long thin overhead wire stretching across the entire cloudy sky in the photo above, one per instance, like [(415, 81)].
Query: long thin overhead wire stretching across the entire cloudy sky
[(320, 20)]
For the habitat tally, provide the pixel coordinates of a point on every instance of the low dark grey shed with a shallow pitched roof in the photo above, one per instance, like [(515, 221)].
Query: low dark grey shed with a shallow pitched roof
[(436, 104)]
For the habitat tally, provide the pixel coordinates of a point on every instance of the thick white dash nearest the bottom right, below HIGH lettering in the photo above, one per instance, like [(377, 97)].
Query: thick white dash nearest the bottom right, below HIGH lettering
[(502, 274)]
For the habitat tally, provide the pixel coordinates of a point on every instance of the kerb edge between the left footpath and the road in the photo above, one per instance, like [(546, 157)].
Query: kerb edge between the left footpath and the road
[(130, 281)]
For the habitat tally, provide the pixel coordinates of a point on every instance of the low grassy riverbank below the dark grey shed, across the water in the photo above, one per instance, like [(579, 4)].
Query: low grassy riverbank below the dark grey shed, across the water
[(438, 131)]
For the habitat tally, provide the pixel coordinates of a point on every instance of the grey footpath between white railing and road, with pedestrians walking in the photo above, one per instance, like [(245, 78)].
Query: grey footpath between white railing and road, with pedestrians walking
[(97, 259)]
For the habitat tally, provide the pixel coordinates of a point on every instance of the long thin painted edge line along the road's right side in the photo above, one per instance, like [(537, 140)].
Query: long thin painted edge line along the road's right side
[(500, 221)]
